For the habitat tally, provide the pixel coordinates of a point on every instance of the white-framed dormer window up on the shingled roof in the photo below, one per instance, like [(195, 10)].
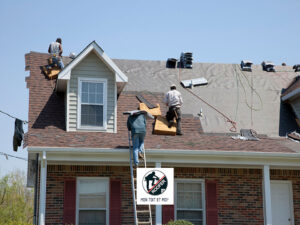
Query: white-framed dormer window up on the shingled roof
[(92, 103)]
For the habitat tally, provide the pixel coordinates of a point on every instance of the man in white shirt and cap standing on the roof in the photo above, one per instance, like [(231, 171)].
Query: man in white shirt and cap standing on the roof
[(174, 101)]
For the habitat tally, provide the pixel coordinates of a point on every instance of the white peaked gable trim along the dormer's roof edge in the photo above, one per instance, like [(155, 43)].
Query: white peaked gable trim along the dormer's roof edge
[(65, 74)]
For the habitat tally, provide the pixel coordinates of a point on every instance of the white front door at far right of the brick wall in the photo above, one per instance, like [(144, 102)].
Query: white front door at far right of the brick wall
[(282, 203)]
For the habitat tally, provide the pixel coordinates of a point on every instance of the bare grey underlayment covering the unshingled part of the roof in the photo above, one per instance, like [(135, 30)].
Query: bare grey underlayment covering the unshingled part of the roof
[(228, 89)]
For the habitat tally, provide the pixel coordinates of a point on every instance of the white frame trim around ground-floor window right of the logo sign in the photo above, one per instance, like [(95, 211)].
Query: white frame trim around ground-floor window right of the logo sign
[(189, 180)]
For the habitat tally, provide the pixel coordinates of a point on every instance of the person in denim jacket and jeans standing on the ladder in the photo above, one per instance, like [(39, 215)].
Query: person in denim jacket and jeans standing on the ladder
[(136, 123)]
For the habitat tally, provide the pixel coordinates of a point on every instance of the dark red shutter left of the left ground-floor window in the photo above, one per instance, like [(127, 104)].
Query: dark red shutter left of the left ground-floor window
[(69, 202)]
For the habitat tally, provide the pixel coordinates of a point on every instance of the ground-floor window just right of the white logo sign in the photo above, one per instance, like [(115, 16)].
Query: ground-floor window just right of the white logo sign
[(189, 201)]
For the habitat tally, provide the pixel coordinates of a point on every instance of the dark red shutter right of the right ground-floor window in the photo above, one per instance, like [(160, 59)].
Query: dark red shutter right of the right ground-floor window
[(211, 203)]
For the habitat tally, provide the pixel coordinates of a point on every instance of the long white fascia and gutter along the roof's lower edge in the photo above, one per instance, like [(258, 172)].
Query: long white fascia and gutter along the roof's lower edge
[(172, 157)]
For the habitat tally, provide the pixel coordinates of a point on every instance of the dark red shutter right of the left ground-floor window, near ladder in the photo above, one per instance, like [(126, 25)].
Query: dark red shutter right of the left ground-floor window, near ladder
[(115, 202)]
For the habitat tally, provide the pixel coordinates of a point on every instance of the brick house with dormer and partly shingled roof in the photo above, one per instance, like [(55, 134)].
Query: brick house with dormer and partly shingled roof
[(218, 179)]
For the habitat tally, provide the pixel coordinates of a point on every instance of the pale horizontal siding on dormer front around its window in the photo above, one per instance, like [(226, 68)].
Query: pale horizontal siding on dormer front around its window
[(92, 67)]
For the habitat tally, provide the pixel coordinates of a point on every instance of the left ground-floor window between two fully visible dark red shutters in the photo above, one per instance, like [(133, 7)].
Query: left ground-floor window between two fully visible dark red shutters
[(92, 201)]
